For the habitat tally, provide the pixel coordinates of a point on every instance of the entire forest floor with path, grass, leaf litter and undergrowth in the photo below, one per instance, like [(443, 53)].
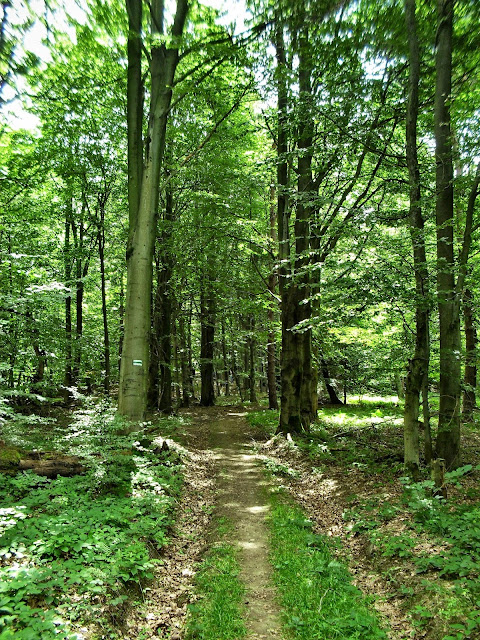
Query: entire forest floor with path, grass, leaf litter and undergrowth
[(414, 559)]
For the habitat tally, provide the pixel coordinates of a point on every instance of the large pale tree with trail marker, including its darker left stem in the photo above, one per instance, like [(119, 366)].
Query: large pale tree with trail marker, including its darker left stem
[(144, 179)]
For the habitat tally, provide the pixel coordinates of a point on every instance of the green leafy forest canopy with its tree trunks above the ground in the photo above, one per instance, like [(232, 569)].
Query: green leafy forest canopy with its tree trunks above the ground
[(287, 205)]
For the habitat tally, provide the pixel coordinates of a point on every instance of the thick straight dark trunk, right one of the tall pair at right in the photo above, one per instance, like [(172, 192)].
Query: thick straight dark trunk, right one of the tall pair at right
[(448, 438)]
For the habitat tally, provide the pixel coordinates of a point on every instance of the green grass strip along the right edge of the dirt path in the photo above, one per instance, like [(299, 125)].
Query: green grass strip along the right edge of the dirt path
[(316, 593)]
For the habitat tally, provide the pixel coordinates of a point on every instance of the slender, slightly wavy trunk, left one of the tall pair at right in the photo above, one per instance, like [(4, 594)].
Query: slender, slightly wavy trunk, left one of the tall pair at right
[(418, 365)]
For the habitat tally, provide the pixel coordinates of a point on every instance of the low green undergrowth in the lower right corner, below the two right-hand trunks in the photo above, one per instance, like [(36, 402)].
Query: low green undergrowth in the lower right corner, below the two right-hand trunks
[(437, 543)]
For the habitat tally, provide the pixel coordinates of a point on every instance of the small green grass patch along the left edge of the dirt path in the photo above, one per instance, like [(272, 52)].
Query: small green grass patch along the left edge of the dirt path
[(218, 613)]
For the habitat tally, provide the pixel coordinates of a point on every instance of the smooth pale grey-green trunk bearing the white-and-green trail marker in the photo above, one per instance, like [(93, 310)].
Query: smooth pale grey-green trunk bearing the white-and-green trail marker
[(135, 353)]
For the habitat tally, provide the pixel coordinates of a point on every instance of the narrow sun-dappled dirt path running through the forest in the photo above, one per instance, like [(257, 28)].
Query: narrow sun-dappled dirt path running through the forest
[(243, 498)]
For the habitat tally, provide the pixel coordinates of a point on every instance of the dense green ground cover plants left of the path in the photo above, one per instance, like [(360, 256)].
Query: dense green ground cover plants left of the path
[(76, 547)]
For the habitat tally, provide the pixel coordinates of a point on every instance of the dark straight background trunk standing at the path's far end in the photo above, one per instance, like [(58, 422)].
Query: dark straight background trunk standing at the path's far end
[(207, 324)]
